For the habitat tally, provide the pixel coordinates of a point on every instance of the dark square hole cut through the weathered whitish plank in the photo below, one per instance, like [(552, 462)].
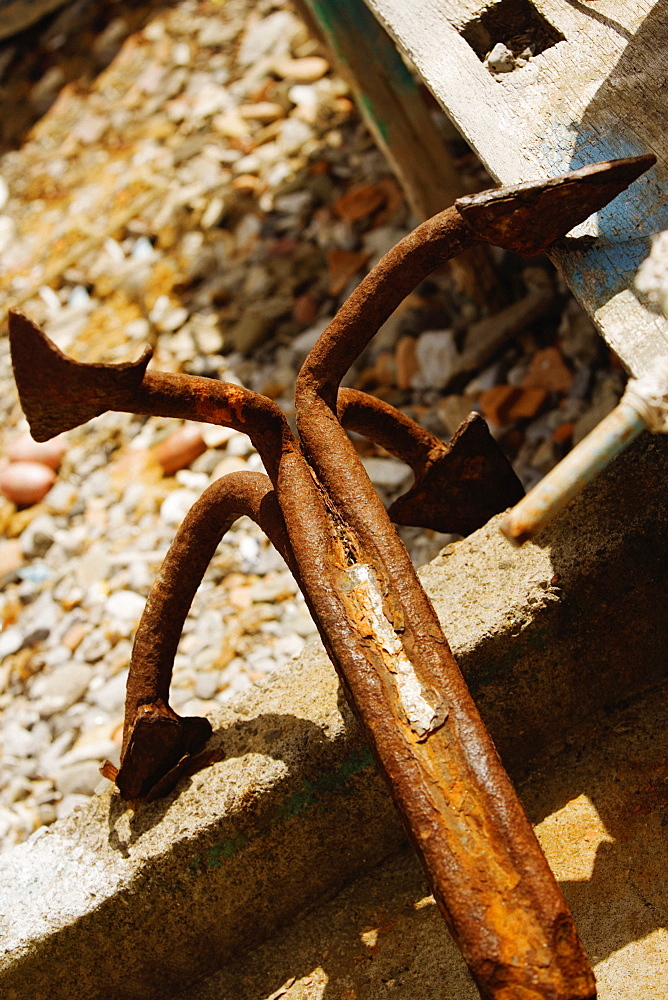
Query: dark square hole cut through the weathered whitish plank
[(514, 23)]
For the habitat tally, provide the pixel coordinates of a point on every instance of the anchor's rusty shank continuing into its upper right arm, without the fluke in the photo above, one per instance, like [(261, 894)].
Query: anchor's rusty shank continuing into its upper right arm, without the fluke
[(486, 868)]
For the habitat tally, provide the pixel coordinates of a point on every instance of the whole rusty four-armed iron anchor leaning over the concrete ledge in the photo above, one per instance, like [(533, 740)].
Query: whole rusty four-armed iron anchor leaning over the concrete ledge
[(485, 866)]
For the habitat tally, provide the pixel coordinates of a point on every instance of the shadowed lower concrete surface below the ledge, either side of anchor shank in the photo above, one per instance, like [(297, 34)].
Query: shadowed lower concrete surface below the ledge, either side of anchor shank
[(385, 933)]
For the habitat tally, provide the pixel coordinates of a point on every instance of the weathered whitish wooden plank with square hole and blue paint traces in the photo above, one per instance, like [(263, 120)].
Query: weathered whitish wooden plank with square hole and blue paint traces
[(598, 91)]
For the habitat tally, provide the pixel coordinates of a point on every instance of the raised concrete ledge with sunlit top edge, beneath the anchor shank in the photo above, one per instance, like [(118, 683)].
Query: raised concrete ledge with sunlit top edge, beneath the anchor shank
[(115, 904)]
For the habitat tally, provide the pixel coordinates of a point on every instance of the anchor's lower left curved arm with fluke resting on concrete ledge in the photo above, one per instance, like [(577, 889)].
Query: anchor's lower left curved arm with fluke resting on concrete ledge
[(156, 740)]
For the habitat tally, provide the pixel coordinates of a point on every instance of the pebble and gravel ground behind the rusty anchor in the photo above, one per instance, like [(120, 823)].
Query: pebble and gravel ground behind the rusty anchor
[(195, 176)]
